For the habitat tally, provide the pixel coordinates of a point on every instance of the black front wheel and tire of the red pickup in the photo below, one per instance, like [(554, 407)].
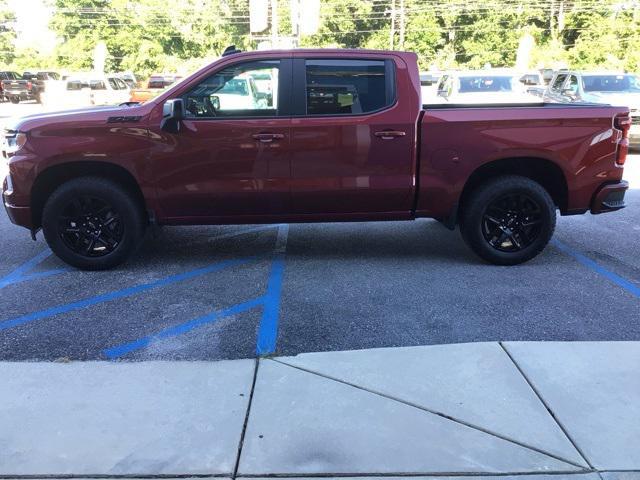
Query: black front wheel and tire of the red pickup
[(93, 223)]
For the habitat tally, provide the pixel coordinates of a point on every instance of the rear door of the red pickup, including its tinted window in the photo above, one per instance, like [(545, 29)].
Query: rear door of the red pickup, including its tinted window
[(353, 136)]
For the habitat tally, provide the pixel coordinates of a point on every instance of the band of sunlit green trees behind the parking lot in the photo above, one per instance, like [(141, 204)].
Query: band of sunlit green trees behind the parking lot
[(148, 36)]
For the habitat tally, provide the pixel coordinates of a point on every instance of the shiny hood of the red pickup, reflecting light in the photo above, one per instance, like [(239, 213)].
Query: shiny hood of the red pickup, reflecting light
[(98, 114)]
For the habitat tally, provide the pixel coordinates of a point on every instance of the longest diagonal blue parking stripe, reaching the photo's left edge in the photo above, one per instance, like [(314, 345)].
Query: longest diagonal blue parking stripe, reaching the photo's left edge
[(117, 294)]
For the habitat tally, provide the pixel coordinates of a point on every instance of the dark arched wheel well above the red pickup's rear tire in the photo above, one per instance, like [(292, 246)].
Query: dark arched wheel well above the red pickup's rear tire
[(545, 172)]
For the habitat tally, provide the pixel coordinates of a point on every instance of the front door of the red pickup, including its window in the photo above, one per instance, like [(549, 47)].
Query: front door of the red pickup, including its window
[(230, 157)]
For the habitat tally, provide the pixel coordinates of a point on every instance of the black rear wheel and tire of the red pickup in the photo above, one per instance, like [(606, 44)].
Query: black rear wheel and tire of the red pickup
[(508, 220)]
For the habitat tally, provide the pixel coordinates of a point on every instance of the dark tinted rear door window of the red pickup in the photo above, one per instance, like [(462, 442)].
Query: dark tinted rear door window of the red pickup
[(344, 87)]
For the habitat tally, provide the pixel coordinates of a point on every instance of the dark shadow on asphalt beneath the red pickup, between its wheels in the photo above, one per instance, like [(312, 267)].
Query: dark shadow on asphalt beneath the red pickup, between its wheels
[(421, 240)]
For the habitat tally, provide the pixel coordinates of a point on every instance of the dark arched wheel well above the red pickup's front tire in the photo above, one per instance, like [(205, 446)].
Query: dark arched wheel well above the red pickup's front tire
[(51, 178)]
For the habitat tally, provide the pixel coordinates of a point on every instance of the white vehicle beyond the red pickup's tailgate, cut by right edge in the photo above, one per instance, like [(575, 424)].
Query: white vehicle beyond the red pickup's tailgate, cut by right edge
[(610, 88)]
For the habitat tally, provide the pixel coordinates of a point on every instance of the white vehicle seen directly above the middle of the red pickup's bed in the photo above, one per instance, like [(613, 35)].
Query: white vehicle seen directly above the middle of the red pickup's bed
[(483, 86)]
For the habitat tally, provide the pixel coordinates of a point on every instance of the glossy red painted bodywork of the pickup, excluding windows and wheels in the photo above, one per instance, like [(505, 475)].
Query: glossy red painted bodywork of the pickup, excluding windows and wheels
[(328, 168)]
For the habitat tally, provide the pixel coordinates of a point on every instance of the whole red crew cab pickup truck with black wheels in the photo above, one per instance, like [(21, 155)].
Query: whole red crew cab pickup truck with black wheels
[(342, 136)]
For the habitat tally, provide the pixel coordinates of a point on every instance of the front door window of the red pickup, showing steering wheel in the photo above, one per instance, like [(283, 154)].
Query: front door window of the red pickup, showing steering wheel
[(243, 90)]
